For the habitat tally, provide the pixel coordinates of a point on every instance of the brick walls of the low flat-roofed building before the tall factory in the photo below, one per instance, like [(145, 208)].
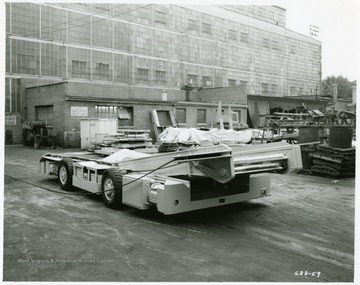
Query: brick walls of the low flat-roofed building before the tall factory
[(64, 96)]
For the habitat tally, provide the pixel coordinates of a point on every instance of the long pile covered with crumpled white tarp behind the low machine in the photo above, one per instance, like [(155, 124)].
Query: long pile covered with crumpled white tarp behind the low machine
[(199, 137)]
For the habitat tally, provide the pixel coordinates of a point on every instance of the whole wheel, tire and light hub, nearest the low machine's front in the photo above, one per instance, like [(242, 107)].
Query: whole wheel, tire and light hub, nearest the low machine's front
[(111, 188)]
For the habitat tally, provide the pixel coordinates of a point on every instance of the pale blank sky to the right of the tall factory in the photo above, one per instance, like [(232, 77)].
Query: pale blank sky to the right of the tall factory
[(339, 30)]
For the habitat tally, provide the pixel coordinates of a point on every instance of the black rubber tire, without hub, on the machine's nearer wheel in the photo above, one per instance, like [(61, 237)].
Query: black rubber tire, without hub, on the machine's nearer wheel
[(116, 176)]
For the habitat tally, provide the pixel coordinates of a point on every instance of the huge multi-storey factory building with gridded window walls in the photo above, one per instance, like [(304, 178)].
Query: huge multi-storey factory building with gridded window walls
[(151, 53)]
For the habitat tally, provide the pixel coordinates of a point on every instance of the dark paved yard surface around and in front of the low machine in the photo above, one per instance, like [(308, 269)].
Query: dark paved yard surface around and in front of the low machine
[(304, 232)]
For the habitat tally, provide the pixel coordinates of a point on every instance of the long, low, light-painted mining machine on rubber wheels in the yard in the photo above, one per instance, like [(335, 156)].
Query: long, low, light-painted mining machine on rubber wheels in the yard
[(177, 182)]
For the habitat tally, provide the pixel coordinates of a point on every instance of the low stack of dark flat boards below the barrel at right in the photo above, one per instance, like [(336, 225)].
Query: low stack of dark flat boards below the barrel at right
[(334, 162)]
